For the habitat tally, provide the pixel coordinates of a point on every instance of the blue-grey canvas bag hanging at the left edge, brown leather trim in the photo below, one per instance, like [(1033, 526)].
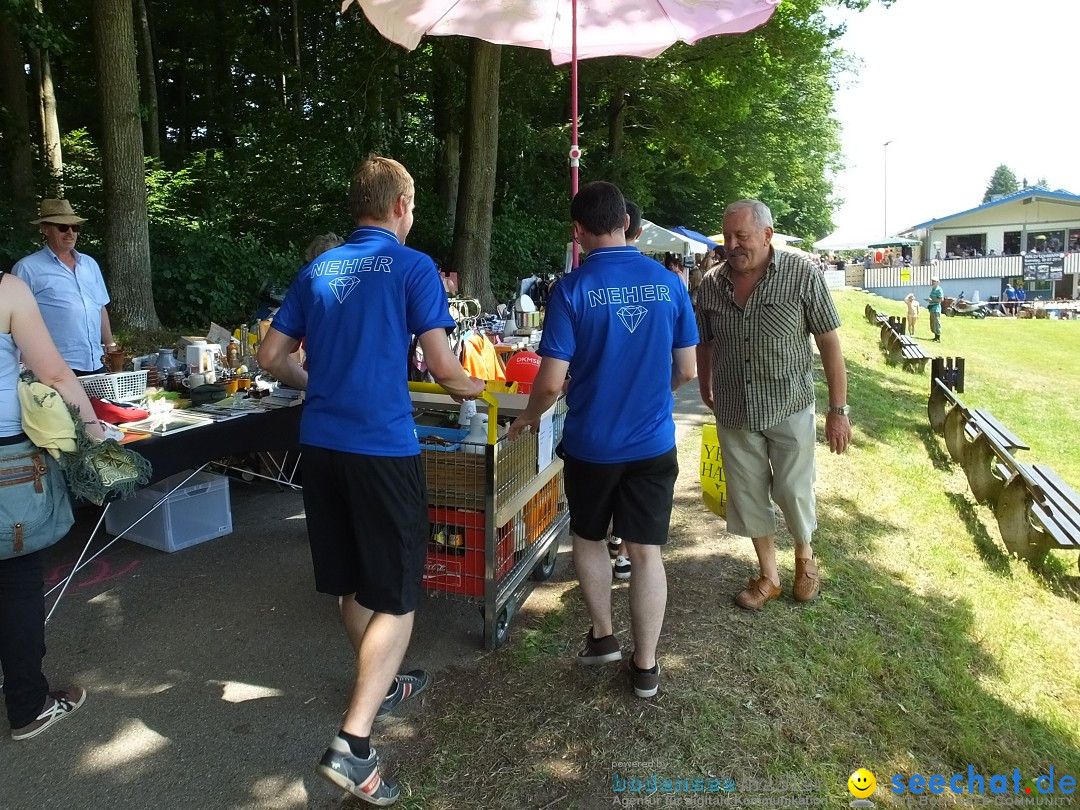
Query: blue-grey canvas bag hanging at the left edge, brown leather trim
[(35, 506)]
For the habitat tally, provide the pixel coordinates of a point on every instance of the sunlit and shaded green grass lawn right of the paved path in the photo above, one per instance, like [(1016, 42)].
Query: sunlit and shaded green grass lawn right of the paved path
[(929, 651)]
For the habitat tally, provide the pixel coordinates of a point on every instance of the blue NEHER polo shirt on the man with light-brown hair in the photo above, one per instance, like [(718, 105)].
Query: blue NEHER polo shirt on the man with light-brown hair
[(358, 307)]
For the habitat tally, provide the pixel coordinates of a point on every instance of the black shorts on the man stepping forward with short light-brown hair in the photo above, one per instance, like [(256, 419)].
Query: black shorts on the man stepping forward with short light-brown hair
[(368, 526)]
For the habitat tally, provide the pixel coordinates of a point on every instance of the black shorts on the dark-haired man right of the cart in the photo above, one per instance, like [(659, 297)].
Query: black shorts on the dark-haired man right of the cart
[(633, 497)]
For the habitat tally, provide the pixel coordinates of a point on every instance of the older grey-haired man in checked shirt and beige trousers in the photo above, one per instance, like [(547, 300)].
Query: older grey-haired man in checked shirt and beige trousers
[(757, 314)]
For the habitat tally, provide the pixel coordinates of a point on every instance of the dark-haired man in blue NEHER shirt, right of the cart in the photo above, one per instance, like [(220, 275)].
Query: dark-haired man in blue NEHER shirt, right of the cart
[(624, 329)]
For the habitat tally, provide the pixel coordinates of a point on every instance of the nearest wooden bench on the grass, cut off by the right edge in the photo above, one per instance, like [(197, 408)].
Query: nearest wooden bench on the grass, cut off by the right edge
[(1036, 510)]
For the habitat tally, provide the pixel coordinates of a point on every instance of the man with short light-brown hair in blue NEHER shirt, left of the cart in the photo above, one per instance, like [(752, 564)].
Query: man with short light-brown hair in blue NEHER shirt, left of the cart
[(364, 492)]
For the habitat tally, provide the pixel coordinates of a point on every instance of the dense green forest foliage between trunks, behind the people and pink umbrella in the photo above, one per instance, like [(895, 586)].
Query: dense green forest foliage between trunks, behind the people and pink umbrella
[(263, 111)]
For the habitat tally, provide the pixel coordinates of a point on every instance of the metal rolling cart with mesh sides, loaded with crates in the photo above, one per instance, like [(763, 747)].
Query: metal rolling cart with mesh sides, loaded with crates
[(496, 510)]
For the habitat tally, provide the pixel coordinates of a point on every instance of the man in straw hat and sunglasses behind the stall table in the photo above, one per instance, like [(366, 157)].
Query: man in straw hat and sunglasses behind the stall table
[(70, 290)]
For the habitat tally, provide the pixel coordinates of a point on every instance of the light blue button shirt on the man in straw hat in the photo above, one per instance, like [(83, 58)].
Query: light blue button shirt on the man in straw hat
[(71, 304)]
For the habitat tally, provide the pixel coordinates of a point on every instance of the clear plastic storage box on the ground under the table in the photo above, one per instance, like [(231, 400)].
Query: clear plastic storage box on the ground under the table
[(198, 511)]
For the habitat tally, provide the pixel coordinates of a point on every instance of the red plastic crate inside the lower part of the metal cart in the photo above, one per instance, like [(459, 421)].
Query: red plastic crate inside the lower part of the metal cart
[(456, 552)]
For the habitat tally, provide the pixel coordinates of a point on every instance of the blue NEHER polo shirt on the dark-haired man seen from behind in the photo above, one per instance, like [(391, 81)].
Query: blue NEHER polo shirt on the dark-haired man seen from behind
[(617, 320)]
